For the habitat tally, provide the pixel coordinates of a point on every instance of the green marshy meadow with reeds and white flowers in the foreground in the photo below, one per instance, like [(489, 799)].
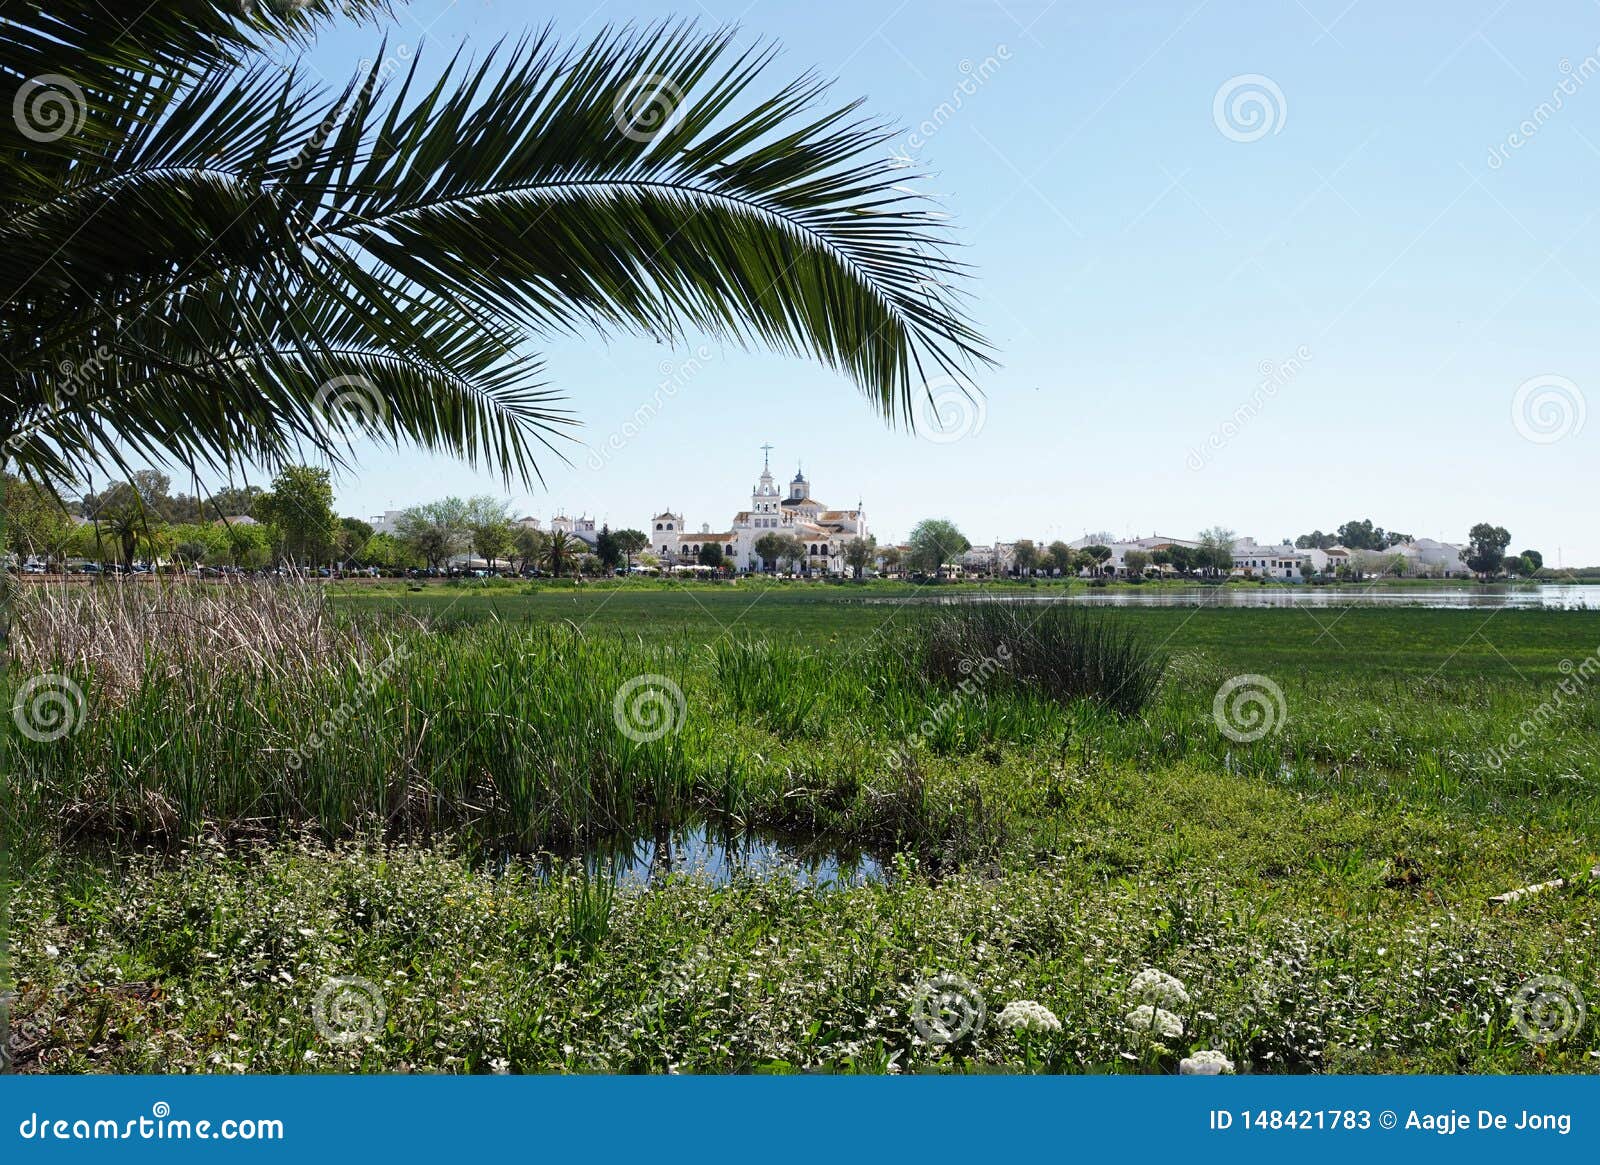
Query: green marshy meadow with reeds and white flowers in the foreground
[(1302, 815)]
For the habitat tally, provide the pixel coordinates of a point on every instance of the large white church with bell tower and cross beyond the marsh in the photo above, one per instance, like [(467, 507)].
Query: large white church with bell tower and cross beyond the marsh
[(825, 534)]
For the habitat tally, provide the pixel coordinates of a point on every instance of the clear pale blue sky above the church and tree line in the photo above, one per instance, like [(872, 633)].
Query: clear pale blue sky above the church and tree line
[(1138, 268)]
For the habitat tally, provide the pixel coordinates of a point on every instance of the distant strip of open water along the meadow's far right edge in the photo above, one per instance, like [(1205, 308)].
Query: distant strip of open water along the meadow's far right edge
[(1550, 598)]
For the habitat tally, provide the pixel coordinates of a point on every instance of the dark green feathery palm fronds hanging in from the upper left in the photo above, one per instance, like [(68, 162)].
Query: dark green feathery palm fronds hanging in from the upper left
[(210, 260)]
